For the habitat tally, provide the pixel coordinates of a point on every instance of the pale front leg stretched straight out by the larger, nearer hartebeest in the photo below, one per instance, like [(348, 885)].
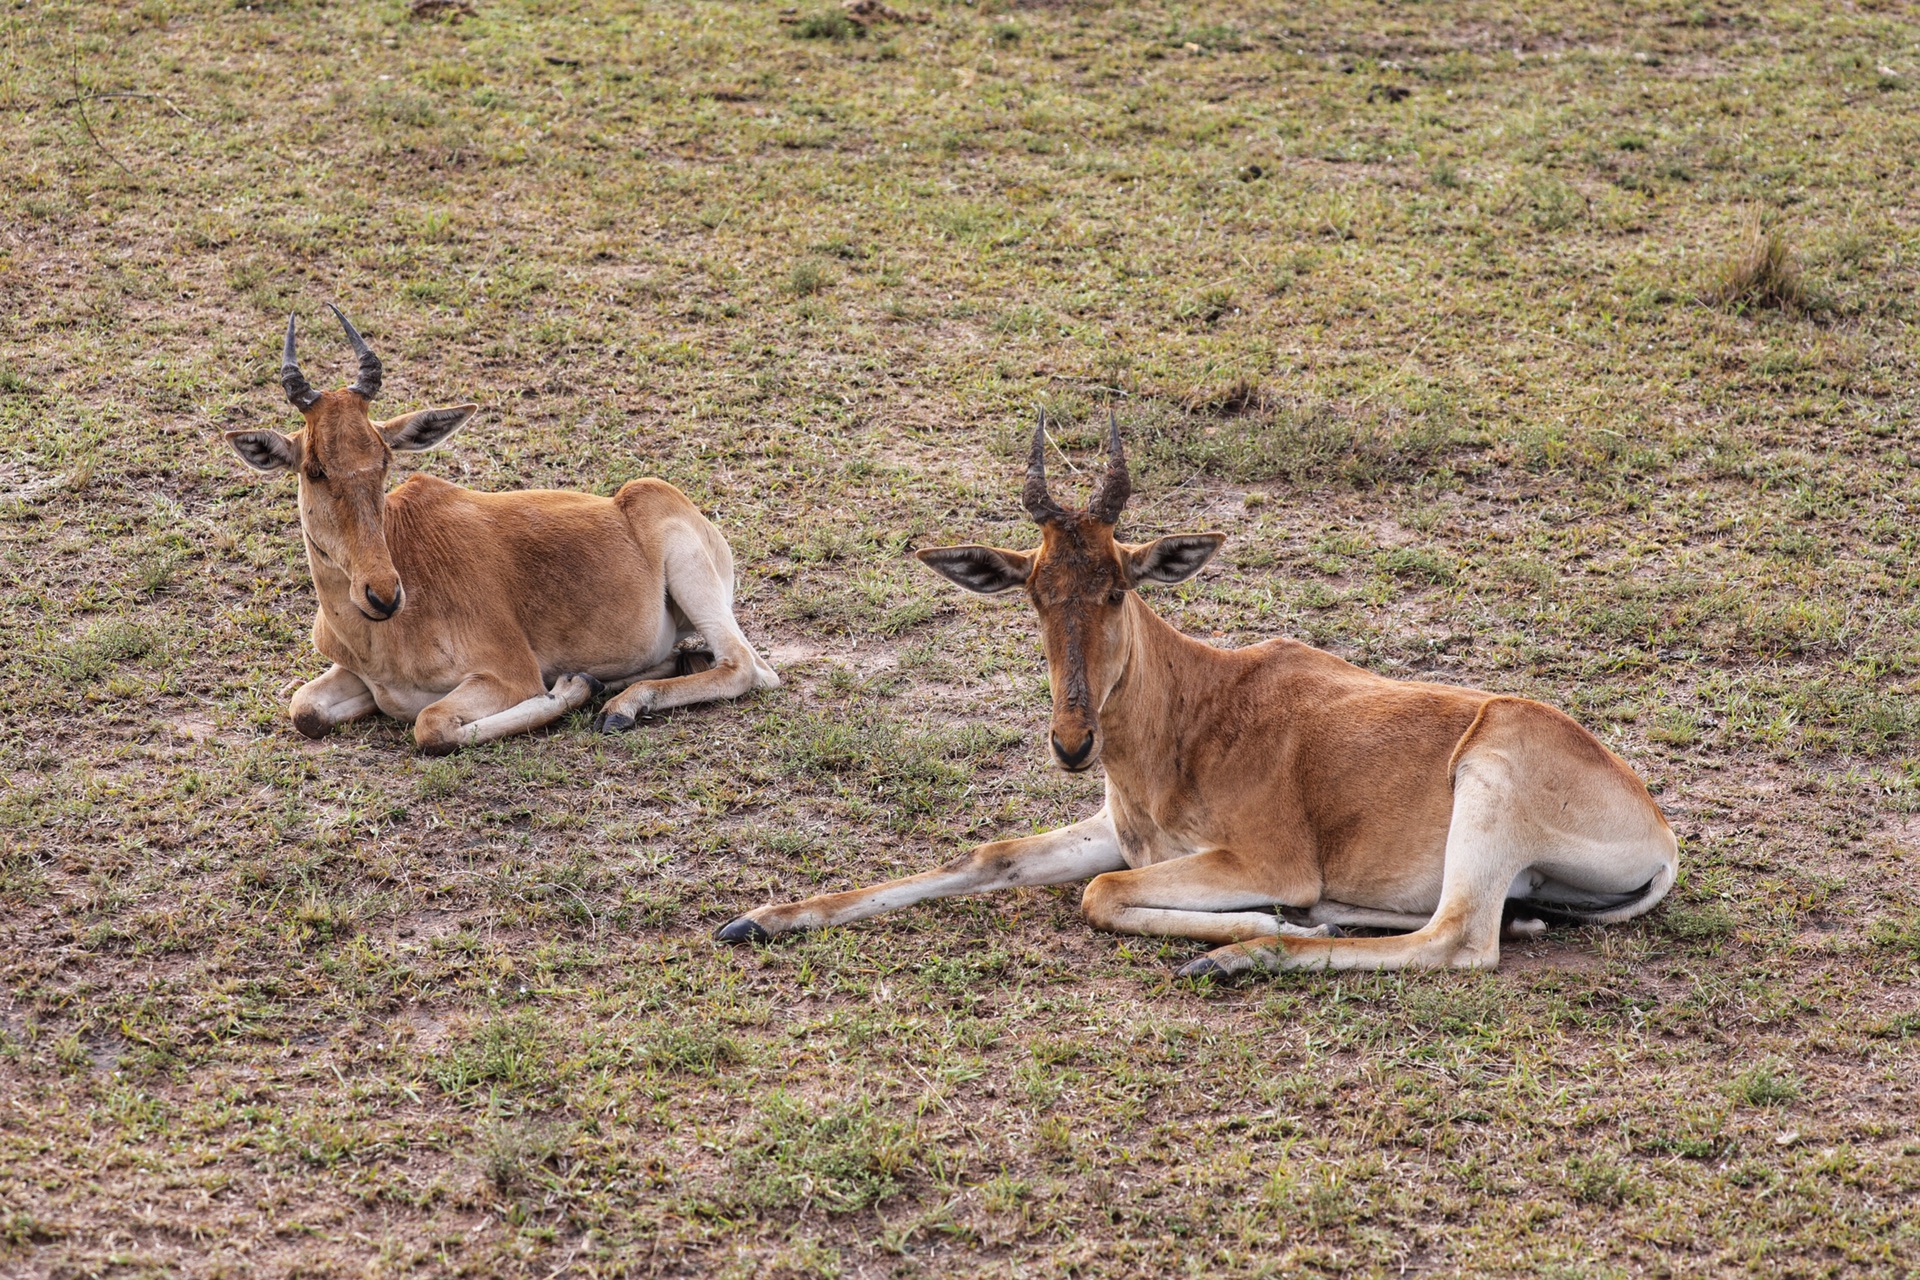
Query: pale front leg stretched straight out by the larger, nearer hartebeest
[(1051, 859)]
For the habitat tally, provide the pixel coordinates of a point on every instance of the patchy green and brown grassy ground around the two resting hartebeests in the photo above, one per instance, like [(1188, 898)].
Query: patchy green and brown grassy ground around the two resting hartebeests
[(1564, 350)]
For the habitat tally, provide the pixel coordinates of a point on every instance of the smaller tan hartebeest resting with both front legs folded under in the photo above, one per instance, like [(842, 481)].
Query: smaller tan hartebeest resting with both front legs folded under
[(483, 615)]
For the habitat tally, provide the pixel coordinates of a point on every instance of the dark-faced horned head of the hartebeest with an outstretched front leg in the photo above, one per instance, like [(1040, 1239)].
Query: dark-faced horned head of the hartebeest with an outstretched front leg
[(1082, 582)]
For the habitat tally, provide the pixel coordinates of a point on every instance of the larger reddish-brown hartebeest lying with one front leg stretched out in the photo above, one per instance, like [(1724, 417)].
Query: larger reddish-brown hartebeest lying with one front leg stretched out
[(1282, 776)]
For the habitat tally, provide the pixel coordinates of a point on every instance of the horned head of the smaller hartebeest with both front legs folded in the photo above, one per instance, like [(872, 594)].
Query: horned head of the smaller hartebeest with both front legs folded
[(343, 458)]
